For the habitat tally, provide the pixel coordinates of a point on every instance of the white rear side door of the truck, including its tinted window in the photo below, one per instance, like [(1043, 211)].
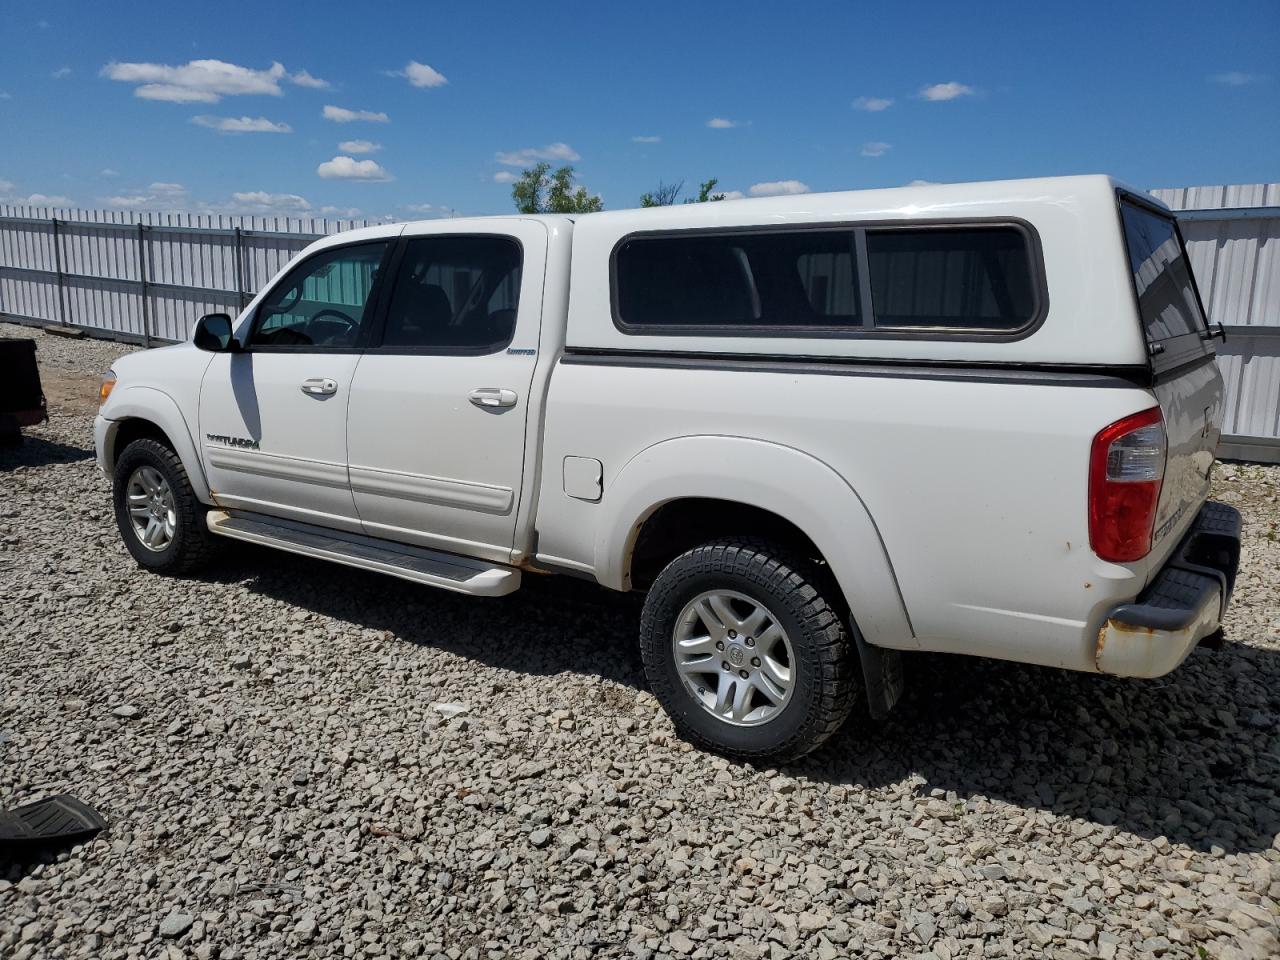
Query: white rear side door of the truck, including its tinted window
[(437, 420)]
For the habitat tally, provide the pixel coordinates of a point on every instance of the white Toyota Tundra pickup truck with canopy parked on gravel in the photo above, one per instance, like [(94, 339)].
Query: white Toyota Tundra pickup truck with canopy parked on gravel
[(816, 431)]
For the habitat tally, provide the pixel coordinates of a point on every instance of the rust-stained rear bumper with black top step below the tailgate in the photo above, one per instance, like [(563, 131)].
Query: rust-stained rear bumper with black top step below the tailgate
[(1181, 607)]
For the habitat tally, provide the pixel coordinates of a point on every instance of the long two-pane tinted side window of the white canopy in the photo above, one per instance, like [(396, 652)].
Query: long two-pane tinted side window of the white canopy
[(979, 280)]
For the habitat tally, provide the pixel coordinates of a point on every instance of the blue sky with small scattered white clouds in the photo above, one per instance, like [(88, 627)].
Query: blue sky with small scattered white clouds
[(102, 104)]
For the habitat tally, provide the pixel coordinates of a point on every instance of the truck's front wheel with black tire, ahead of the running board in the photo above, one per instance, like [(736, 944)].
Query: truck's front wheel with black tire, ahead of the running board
[(188, 543)]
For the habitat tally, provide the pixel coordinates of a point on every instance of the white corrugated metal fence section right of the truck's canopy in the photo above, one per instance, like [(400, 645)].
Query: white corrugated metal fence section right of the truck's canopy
[(1233, 236)]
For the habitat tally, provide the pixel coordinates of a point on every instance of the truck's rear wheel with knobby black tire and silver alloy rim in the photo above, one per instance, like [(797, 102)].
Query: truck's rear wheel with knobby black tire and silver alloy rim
[(730, 582)]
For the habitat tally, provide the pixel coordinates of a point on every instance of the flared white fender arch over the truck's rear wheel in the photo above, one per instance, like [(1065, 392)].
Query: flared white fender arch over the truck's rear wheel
[(775, 478)]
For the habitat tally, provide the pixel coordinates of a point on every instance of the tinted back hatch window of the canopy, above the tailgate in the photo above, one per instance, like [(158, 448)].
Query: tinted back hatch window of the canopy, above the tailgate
[(1162, 276)]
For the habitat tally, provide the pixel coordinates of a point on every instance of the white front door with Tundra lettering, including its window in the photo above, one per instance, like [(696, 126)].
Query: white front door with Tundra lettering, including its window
[(273, 419)]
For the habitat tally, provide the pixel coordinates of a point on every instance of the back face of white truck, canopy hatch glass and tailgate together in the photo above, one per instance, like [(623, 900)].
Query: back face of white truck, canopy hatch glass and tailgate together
[(1187, 381)]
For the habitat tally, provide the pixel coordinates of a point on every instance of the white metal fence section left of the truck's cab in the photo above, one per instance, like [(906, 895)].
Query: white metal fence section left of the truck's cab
[(138, 276)]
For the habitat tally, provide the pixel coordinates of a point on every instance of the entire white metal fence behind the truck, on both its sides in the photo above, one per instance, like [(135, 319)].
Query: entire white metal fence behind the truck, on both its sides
[(149, 277)]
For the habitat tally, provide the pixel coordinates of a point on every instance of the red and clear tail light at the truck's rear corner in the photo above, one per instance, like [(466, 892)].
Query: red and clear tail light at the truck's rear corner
[(1127, 468)]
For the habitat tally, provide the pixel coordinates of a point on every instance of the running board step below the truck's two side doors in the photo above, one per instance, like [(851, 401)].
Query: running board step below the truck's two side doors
[(447, 572)]
